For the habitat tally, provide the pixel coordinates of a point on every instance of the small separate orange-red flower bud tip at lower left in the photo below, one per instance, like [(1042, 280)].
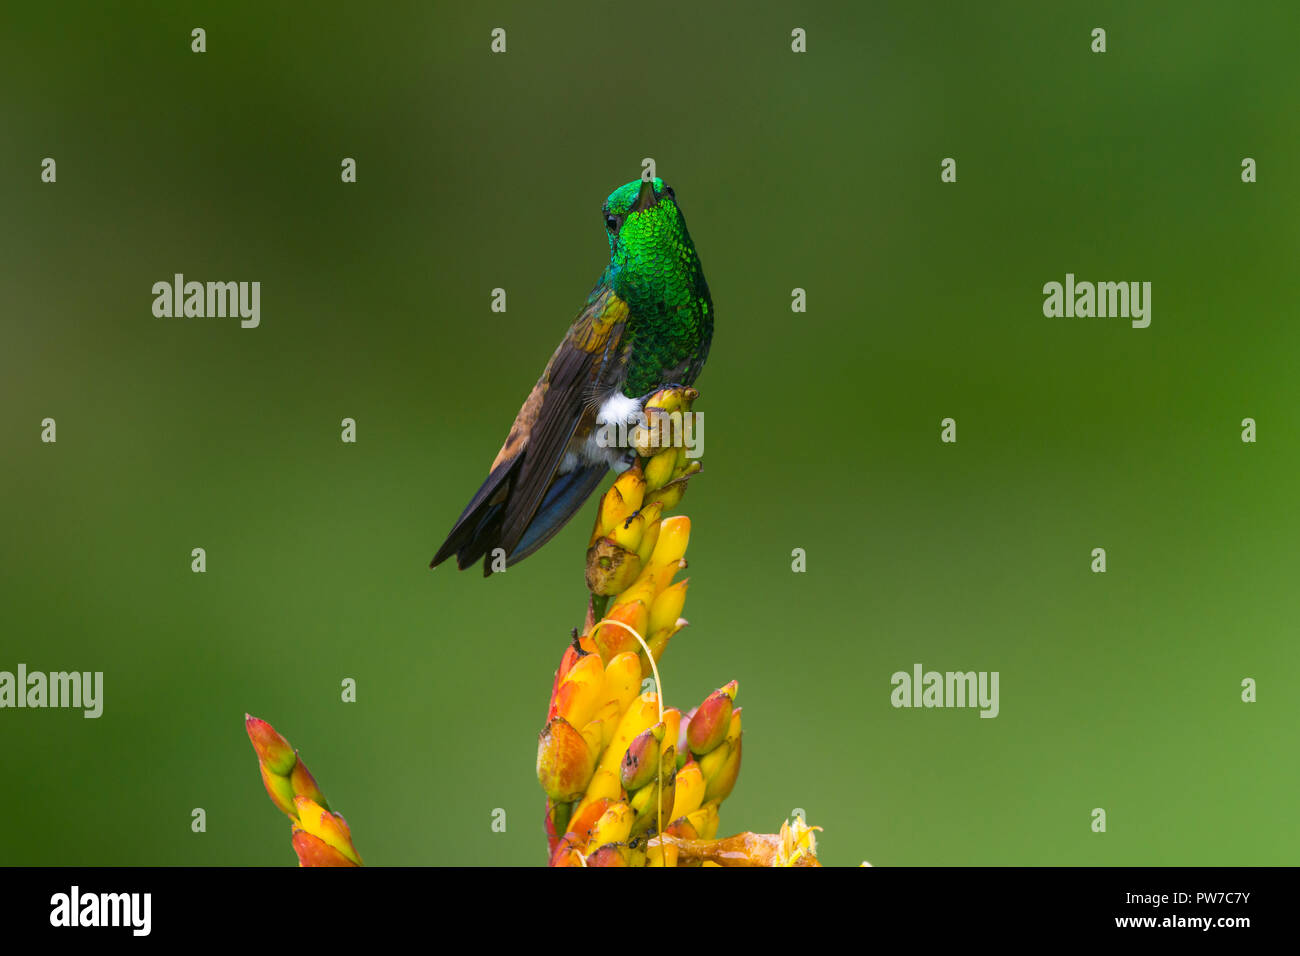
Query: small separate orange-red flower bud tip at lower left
[(320, 837)]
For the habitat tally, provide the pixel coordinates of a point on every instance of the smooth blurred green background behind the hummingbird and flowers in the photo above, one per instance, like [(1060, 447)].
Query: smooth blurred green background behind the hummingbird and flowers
[(818, 171)]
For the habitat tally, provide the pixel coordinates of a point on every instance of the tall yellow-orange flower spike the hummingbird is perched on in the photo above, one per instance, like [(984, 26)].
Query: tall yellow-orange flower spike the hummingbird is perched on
[(630, 782)]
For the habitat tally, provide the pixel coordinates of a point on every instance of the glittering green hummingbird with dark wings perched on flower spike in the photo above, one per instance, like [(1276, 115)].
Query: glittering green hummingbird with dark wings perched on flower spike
[(647, 326)]
